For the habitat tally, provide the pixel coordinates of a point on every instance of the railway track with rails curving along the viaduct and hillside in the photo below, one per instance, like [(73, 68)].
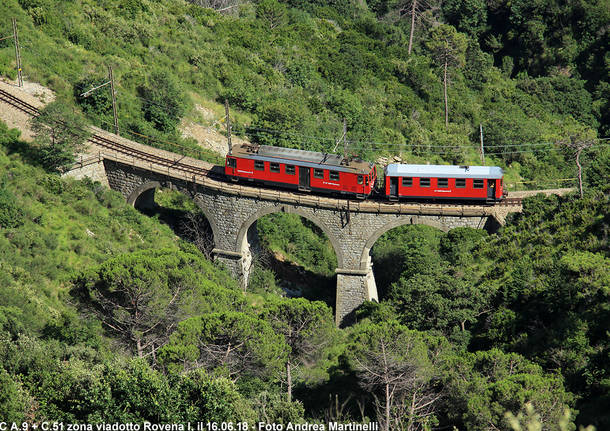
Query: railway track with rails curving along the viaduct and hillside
[(187, 170)]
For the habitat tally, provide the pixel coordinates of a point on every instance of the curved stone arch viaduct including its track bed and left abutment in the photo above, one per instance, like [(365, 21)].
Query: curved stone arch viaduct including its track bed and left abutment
[(352, 226)]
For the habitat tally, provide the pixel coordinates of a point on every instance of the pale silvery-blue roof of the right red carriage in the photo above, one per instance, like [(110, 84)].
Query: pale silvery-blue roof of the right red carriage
[(443, 171)]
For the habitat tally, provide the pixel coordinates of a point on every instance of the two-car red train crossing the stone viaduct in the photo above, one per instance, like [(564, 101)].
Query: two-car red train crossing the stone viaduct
[(334, 174)]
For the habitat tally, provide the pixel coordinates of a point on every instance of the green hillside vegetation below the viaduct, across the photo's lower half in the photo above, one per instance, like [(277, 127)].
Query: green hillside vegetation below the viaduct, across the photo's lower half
[(481, 324)]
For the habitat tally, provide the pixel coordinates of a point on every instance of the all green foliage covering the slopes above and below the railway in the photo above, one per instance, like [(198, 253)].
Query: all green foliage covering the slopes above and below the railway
[(469, 326)]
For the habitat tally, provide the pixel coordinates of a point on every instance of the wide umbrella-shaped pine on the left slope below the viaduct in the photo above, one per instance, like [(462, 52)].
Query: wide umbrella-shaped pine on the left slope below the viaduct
[(143, 295)]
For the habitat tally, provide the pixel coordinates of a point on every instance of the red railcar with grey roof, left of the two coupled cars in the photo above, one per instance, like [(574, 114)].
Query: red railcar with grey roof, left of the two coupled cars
[(302, 170)]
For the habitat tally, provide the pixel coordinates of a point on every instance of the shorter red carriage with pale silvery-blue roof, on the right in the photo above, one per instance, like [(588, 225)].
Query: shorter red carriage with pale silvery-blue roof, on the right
[(478, 183)]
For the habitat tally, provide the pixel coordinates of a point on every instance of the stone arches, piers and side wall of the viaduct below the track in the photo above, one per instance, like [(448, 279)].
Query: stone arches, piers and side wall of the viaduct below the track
[(351, 226)]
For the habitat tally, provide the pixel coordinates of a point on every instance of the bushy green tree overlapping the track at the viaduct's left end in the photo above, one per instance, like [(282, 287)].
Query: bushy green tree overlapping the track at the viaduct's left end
[(59, 133)]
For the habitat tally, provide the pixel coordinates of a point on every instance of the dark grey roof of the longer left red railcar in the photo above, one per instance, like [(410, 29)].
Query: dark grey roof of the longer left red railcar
[(311, 159)]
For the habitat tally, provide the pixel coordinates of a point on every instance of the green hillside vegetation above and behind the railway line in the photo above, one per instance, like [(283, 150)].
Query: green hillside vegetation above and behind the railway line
[(531, 74)]
